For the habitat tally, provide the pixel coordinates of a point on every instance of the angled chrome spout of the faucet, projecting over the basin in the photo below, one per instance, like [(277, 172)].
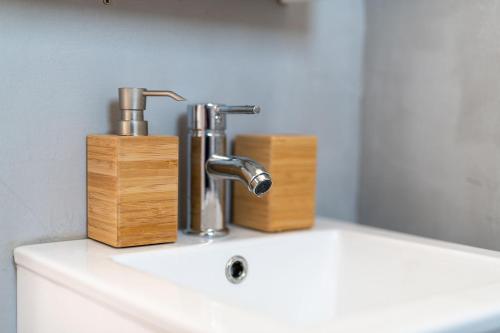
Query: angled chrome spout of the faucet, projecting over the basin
[(243, 169)]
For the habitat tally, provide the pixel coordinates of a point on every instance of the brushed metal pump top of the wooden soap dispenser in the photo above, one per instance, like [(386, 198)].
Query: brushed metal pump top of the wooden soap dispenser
[(132, 103)]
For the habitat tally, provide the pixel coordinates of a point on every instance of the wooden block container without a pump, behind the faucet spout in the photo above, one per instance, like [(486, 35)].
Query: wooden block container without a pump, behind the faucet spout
[(290, 204)]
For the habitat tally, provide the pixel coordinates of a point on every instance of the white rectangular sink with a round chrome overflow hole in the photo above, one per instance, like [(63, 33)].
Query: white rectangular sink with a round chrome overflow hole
[(337, 277)]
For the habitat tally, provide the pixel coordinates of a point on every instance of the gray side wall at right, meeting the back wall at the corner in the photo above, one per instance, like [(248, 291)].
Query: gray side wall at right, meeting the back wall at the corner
[(431, 119)]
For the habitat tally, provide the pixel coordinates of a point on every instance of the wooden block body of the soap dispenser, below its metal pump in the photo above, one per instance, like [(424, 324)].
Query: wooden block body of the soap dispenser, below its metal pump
[(132, 189)]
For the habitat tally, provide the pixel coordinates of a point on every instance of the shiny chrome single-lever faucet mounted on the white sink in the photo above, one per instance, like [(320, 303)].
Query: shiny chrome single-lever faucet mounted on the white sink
[(209, 166)]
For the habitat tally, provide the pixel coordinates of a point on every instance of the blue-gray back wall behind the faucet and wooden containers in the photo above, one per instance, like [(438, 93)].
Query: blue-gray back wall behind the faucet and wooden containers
[(61, 62)]
